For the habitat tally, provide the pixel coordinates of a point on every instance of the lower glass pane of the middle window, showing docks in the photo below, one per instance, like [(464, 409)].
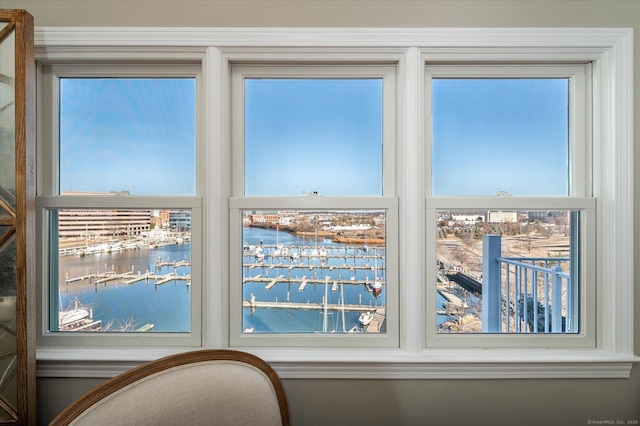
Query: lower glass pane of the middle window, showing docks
[(314, 272)]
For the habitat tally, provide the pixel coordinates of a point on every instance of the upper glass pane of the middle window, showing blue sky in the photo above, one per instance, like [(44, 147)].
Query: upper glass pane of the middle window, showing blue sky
[(313, 135)]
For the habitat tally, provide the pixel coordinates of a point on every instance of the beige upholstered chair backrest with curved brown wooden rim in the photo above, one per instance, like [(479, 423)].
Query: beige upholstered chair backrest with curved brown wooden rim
[(206, 387)]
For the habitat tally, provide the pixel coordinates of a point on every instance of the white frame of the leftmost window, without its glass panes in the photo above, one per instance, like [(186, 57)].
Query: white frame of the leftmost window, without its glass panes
[(48, 199)]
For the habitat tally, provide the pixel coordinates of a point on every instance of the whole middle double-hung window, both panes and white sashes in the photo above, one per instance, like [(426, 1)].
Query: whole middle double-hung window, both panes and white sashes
[(313, 206)]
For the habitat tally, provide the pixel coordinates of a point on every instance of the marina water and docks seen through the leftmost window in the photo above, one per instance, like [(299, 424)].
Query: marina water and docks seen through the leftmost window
[(144, 289)]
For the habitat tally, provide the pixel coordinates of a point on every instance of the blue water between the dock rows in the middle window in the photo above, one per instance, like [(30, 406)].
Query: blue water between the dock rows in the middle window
[(263, 320)]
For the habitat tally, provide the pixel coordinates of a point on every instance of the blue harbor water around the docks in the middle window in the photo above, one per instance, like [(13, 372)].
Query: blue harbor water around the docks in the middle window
[(306, 256)]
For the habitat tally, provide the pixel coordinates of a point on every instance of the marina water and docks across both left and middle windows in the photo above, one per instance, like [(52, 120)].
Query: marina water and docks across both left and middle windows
[(287, 284)]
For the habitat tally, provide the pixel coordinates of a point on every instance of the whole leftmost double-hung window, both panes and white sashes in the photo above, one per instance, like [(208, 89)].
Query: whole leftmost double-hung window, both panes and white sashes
[(121, 205)]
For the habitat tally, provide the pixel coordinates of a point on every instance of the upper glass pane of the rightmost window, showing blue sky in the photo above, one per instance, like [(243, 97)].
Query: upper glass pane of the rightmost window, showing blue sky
[(500, 136)]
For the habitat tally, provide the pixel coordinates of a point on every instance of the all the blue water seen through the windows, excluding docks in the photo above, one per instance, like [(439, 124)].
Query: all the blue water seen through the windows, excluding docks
[(168, 306)]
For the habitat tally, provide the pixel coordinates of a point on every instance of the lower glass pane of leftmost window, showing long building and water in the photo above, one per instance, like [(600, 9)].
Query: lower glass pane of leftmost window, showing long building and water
[(123, 270)]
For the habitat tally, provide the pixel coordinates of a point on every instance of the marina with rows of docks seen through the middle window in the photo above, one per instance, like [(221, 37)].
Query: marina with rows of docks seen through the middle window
[(283, 274)]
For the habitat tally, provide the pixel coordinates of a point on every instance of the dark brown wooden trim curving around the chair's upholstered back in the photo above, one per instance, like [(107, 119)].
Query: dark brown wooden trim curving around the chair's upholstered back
[(133, 375)]
